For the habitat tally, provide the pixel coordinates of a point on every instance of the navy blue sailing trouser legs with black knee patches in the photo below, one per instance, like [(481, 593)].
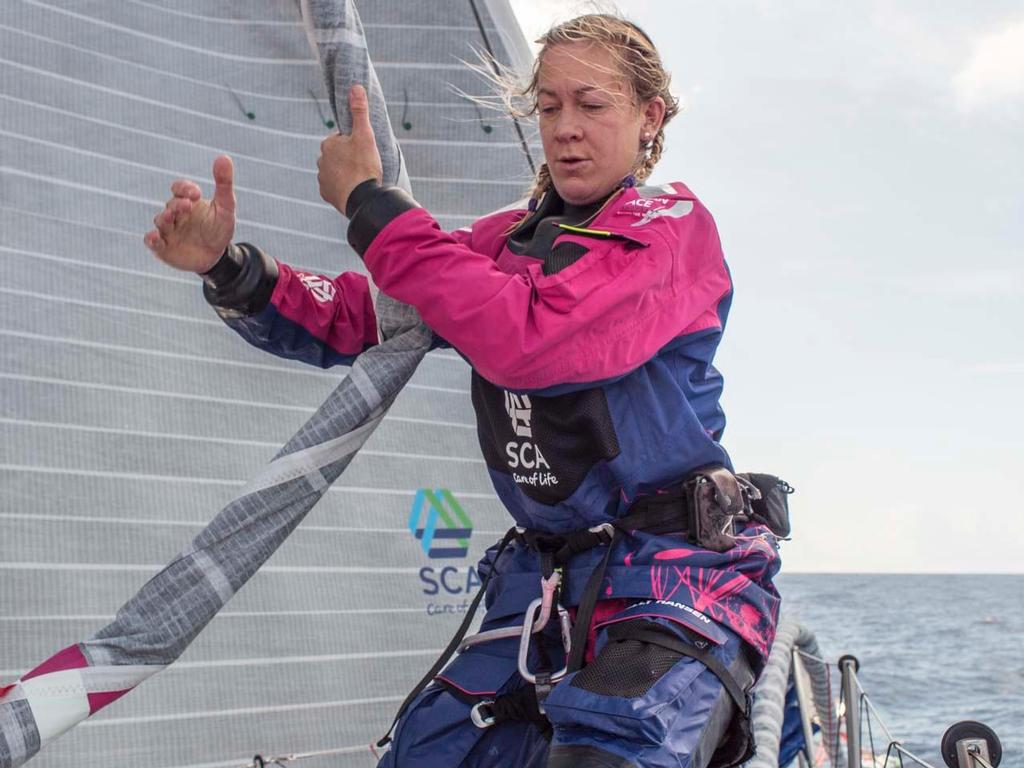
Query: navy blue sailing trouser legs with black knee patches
[(636, 706)]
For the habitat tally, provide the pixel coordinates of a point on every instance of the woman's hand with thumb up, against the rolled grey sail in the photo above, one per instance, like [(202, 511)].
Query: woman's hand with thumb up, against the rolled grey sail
[(346, 162)]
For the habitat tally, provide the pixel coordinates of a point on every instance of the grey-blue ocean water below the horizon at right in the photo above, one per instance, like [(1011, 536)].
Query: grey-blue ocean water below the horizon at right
[(933, 650)]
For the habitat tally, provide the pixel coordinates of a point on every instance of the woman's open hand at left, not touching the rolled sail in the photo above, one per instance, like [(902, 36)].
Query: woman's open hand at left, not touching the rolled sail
[(193, 233)]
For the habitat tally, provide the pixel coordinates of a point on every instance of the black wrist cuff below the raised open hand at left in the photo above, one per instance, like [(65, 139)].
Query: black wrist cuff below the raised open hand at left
[(248, 290)]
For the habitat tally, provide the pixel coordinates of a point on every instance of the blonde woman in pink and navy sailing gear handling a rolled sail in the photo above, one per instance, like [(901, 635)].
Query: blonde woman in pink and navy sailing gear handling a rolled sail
[(591, 319)]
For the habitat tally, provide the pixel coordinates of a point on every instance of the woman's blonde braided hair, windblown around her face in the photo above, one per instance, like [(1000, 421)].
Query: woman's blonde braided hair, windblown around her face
[(637, 60)]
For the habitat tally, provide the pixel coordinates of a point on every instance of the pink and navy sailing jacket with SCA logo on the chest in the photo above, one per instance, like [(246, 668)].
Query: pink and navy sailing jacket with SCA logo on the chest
[(593, 379)]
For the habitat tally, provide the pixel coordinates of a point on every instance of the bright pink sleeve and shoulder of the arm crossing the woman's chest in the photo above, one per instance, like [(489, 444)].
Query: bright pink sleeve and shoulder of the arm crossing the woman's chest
[(601, 319)]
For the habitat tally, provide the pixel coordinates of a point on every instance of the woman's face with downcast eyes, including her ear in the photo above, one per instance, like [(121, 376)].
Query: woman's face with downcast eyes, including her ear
[(590, 127)]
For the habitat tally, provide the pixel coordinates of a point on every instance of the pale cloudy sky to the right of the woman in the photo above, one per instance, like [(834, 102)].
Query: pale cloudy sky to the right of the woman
[(865, 164)]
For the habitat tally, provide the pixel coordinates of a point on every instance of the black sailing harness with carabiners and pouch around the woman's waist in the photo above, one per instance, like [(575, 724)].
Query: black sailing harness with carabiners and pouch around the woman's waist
[(705, 508)]
